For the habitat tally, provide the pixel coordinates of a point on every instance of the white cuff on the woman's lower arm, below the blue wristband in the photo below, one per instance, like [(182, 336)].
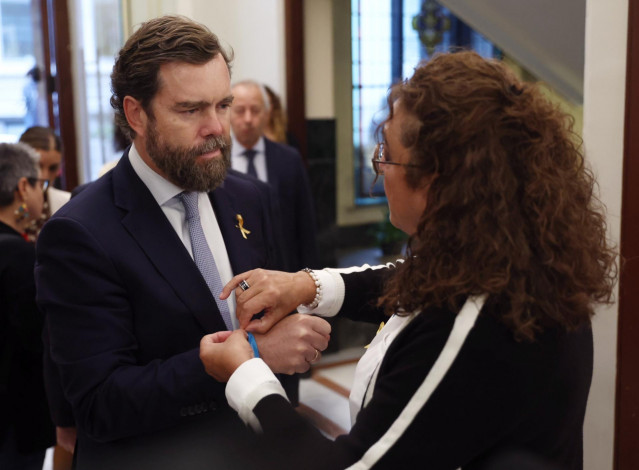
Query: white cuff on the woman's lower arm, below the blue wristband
[(251, 382)]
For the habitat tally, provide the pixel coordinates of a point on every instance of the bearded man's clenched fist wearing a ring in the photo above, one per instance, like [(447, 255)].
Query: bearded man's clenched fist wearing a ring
[(294, 343)]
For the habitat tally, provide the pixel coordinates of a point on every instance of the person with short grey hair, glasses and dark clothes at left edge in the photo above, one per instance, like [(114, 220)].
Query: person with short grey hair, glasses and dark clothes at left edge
[(26, 430)]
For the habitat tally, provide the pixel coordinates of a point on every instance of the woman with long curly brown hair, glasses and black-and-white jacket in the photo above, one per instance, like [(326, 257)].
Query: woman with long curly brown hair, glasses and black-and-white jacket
[(488, 349)]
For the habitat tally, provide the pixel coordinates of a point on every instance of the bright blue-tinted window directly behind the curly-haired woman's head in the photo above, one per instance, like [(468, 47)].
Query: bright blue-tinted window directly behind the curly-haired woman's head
[(387, 45)]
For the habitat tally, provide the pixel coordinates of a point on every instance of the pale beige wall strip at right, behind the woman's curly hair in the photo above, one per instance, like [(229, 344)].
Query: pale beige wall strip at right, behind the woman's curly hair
[(604, 104)]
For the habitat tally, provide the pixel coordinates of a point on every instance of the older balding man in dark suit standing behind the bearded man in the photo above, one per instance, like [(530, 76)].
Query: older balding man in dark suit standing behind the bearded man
[(279, 165)]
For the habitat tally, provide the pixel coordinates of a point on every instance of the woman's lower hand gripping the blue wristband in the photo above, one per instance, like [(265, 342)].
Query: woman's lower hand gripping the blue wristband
[(223, 352)]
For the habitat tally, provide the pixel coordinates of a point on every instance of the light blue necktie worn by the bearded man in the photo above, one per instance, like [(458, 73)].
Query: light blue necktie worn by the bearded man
[(202, 254)]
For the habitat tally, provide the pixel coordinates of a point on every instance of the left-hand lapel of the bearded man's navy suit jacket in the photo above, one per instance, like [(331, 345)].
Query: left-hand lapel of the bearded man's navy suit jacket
[(148, 225)]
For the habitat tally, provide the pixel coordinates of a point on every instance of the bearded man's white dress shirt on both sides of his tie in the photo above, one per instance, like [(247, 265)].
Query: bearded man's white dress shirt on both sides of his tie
[(165, 194)]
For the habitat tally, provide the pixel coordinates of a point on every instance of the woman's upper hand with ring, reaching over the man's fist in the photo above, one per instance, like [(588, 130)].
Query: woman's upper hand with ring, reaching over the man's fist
[(275, 293)]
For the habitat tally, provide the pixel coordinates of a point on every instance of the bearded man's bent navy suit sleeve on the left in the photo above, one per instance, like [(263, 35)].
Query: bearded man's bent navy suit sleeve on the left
[(93, 342)]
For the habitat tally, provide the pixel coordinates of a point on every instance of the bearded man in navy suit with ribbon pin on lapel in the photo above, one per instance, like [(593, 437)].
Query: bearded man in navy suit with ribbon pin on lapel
[(129, 272)]
